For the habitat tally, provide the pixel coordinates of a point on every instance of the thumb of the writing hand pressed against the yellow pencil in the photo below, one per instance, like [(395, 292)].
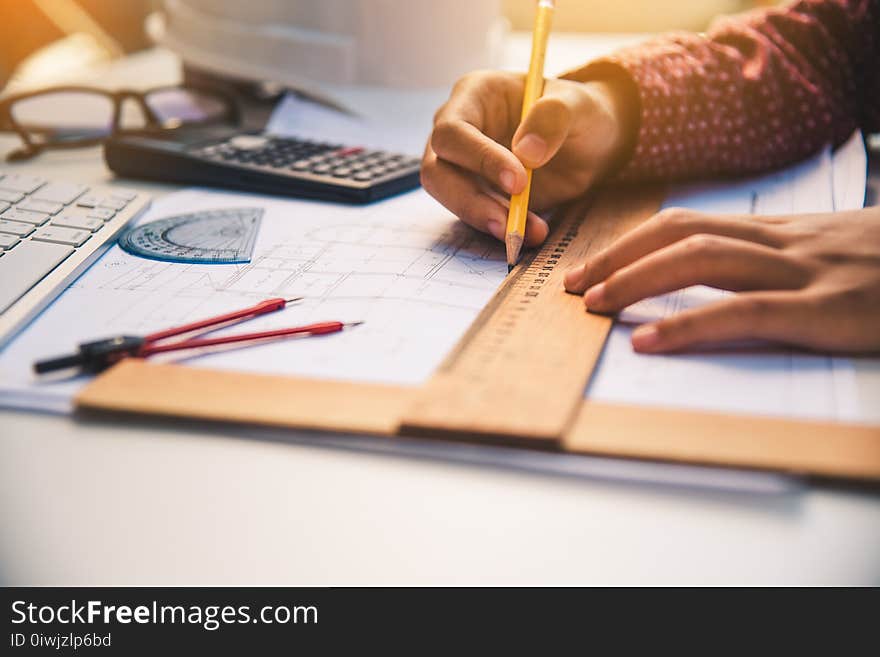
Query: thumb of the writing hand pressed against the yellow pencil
[(543, 131)]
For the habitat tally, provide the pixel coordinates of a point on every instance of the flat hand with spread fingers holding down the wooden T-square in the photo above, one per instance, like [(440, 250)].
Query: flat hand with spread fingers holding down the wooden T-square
[(809, 280)]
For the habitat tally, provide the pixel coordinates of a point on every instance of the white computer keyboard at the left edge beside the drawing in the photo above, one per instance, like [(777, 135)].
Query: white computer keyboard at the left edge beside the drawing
[(50, 232)]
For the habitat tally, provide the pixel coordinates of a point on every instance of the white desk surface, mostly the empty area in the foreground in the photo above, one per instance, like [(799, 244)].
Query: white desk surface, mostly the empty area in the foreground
[(151, 503)]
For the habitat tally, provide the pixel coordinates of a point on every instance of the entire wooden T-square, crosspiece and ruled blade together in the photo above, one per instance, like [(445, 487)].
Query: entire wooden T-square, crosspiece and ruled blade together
[(469, 397)]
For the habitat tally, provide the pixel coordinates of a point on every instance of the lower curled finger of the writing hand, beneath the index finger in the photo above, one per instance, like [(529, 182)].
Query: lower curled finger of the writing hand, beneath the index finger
[(460, 192)]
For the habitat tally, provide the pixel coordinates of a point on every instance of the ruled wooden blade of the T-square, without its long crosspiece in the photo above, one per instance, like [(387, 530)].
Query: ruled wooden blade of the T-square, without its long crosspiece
[(518, 375)]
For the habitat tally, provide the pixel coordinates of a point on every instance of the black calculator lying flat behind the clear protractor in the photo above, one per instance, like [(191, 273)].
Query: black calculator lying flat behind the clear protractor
[(264, 163)]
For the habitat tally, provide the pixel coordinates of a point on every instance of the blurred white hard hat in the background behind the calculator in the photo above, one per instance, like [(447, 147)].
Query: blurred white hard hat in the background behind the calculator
[(315, 45)]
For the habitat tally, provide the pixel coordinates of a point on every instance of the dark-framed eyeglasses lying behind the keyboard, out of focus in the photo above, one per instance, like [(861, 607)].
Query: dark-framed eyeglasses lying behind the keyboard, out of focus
[(72, 117)]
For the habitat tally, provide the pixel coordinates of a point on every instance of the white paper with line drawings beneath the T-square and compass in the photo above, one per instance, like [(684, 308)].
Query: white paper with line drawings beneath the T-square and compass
[(417, 278)]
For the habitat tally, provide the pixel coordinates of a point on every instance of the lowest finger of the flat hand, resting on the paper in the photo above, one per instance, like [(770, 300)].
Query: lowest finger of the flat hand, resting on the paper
[(774, 316)]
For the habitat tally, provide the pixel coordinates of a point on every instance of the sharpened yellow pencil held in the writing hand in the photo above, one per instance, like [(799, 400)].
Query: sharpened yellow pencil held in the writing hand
[(519, 203)]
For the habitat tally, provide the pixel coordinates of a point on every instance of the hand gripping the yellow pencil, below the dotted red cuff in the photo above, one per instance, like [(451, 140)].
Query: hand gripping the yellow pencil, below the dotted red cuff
[(571, 137)]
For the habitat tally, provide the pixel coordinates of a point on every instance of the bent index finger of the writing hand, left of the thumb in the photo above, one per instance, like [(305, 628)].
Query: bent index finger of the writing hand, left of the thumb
[(461, 143)]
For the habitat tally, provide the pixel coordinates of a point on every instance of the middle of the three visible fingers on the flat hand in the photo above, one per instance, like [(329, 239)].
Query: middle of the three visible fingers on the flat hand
[(720, 262)]
